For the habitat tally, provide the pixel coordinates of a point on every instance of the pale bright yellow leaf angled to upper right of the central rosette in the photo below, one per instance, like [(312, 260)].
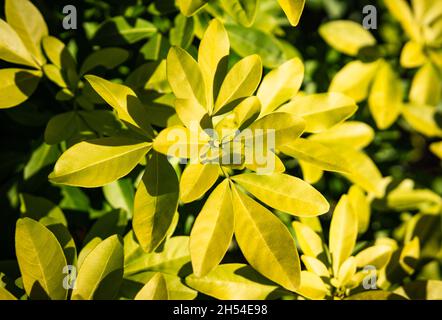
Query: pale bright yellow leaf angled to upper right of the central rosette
[(281, 85)]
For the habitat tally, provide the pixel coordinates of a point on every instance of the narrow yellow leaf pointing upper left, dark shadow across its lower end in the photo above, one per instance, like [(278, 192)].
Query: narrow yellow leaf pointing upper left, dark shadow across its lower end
[(125, 102)]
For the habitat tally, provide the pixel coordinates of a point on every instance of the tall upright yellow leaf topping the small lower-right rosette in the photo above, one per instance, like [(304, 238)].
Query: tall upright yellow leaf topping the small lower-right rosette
[(343, 233)]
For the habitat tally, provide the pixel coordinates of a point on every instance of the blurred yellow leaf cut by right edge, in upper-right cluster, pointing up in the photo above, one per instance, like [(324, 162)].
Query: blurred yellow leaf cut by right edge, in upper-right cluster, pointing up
[(426, 88)]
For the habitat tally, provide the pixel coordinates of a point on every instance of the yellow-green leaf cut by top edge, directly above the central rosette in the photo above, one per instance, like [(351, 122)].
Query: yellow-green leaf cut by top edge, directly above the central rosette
[(243, 11)]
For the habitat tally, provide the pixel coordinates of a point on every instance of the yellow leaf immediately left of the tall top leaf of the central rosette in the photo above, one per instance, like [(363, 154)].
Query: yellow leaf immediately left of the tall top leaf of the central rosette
[(184, 75)]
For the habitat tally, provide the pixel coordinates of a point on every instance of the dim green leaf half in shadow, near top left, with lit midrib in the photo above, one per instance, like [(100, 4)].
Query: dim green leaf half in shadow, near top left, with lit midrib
[(118, 31)]
